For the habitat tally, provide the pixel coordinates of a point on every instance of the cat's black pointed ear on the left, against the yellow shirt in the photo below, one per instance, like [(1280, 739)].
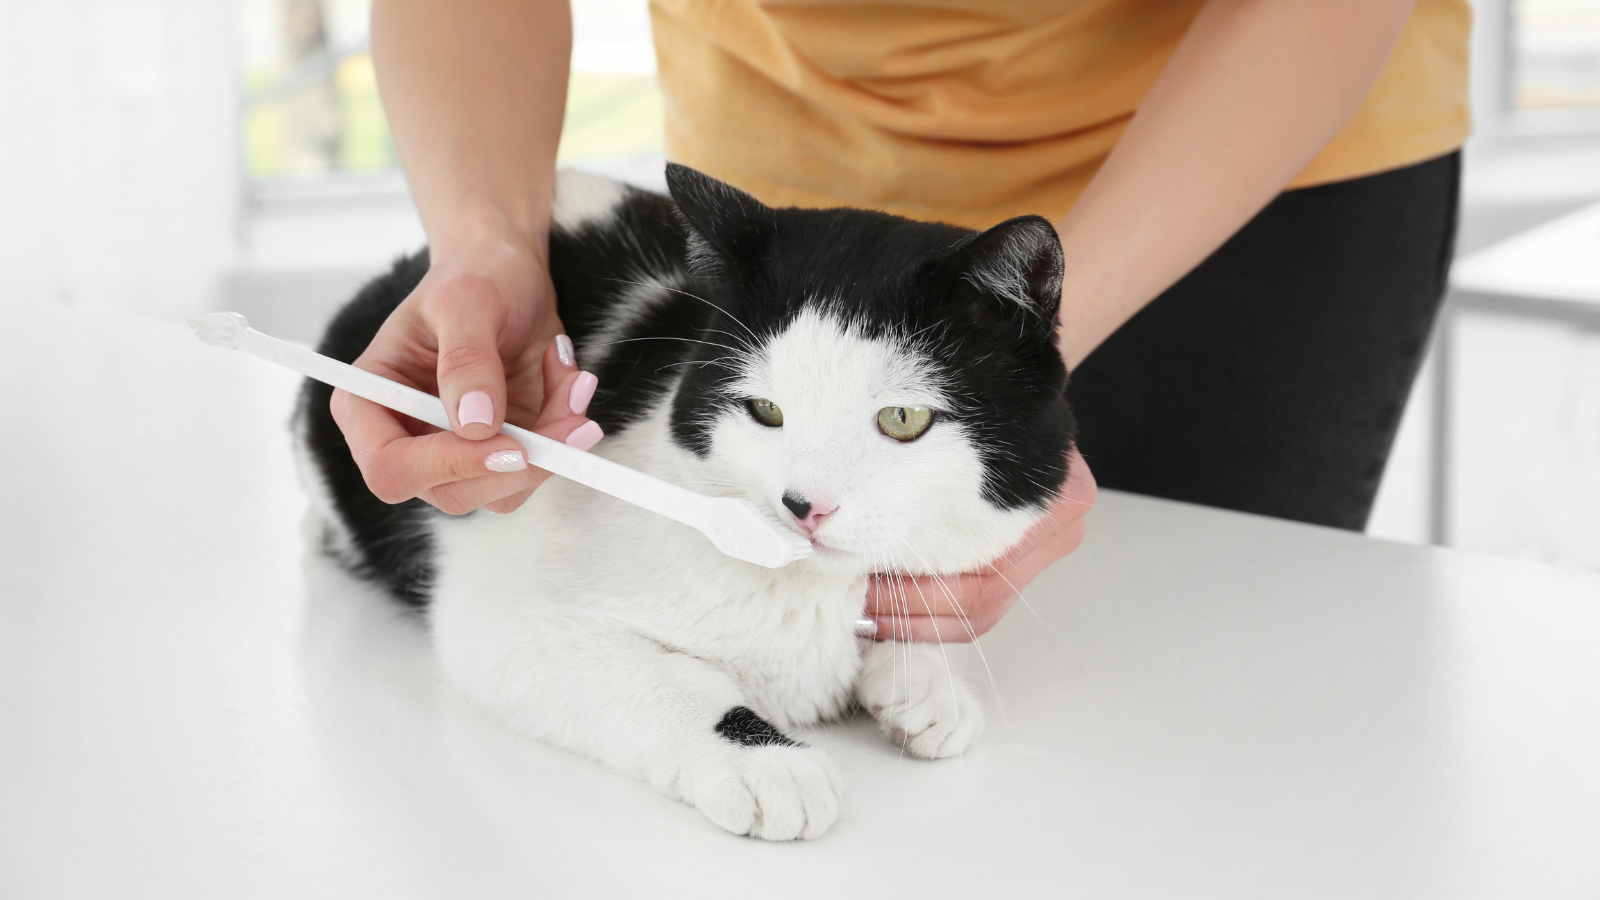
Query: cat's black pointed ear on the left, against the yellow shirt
[(729, 227)]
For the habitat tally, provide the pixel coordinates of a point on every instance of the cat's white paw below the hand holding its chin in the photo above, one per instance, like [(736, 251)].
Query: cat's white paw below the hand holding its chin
[(916, 699)]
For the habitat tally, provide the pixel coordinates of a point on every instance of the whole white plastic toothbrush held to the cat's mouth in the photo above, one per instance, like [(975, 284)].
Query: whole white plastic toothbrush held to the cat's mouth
[(735, 526)]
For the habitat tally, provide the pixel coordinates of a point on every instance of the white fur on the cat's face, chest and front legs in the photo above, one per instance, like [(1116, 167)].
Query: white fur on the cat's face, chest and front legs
[(625, 637)]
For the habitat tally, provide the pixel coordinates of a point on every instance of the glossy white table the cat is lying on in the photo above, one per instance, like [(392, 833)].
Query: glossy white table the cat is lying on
[(1206, 704)]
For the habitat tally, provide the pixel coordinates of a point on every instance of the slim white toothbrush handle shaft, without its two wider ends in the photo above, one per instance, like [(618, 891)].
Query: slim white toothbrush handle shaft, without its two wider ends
[(599, 473)]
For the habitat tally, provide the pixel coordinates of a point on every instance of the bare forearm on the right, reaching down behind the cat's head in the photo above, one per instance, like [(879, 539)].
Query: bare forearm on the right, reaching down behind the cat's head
[(1255, 90)]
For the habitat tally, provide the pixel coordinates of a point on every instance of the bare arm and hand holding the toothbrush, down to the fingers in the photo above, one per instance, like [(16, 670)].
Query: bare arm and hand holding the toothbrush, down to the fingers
[(474, 95)]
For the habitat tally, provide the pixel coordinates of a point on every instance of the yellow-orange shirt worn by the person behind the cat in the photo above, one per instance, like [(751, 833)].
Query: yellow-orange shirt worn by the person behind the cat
[(975, 111)]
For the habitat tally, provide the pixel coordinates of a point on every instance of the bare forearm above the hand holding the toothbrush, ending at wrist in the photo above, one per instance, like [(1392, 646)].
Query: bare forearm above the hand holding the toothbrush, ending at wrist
[(474, 94)]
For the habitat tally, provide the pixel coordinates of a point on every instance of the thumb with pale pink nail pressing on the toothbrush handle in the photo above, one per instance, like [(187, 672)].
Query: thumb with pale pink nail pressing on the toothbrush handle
[(471, 374)]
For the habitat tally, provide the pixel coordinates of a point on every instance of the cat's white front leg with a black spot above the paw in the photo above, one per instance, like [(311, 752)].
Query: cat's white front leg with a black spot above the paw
[(666, 718)]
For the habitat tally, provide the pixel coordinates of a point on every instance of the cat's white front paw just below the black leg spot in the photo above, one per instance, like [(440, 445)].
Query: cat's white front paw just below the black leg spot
[(775, 794)]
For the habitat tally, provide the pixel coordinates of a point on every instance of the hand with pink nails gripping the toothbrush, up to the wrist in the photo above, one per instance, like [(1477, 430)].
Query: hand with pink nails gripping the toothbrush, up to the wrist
[(481, 332)]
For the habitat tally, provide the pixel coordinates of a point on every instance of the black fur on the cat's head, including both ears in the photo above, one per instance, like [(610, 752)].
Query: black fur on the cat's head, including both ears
[(929, 284)]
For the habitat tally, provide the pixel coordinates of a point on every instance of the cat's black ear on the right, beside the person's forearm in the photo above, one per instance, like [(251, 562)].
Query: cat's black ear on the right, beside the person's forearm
[(1017, 263)]
